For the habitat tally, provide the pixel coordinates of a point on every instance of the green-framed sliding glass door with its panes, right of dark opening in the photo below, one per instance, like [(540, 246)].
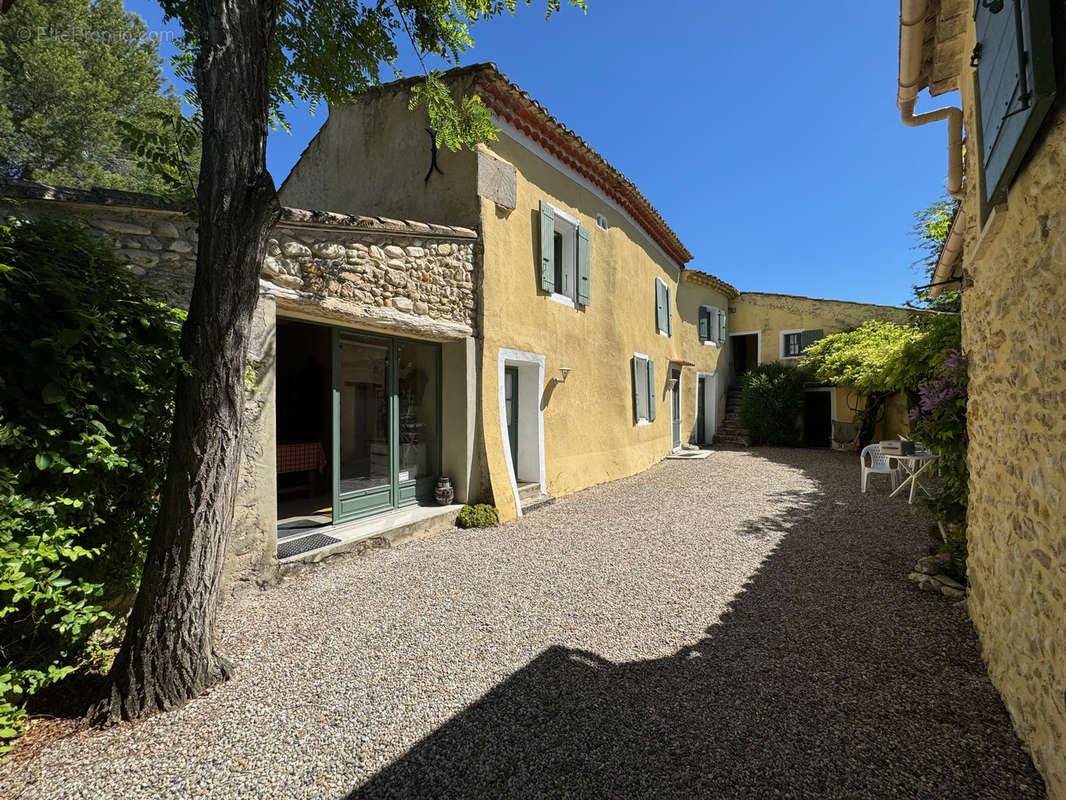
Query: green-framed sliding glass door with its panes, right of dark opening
[(386, 423)]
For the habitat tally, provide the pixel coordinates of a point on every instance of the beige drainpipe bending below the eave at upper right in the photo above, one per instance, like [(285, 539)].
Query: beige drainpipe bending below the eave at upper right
[(912, 38)]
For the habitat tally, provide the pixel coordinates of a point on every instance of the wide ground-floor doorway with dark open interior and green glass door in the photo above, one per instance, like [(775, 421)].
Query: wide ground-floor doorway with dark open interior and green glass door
[(358, 424)]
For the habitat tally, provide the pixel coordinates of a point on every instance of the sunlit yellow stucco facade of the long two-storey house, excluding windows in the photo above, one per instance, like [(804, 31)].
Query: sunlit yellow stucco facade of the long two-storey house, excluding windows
[(590, 435)]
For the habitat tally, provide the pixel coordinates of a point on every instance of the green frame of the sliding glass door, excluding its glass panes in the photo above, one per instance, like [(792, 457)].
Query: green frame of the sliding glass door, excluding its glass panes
[(361, 503)]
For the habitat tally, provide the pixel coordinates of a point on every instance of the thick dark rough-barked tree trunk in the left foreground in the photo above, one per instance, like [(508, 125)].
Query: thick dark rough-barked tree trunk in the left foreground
[(169, 654)]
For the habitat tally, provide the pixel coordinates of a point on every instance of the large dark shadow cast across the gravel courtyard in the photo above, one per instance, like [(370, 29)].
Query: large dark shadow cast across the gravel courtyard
[(830, 677)]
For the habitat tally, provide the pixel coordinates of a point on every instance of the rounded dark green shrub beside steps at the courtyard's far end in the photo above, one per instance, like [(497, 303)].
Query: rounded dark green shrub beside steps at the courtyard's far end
[(772, 404)]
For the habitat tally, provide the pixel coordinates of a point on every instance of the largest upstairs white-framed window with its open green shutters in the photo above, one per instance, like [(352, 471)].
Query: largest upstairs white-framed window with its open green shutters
[(566, 258)]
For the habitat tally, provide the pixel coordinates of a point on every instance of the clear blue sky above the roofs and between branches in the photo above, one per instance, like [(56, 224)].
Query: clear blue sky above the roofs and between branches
[(770, 142)]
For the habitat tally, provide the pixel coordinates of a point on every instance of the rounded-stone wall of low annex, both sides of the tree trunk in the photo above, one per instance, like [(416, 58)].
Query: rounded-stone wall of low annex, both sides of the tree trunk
[(391, 276)]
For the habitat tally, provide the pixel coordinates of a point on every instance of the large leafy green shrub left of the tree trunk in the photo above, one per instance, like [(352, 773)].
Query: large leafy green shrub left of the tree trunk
[(86, 408)]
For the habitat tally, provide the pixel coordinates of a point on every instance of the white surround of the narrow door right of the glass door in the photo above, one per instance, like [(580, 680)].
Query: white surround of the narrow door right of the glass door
[(530, 468)]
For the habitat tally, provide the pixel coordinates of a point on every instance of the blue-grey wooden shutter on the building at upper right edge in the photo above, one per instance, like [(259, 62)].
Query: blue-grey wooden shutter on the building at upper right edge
[(1016, 86)]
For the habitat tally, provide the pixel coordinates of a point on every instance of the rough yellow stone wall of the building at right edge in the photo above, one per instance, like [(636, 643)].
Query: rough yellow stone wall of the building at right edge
[(1014, 334)]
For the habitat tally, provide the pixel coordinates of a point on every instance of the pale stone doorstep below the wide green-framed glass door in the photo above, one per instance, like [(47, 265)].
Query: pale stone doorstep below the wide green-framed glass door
[(382, 532)]
